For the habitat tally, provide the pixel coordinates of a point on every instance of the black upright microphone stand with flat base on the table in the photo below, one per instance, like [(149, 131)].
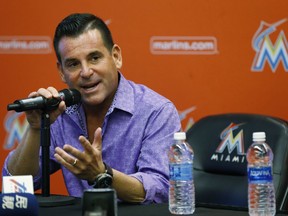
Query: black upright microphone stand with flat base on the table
[(47, 200)]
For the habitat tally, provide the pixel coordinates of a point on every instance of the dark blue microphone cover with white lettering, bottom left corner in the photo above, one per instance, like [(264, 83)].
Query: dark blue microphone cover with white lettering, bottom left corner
[(20, 204)]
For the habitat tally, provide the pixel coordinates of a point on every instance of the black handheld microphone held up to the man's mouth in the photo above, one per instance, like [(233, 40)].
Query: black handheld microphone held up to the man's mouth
[(70, 96)]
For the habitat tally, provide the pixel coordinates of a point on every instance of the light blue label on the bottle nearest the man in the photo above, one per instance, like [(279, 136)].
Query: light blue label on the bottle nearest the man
[(182, 172)]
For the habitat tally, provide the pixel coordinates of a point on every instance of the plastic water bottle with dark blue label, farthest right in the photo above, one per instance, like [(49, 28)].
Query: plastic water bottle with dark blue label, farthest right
[(261, 194)]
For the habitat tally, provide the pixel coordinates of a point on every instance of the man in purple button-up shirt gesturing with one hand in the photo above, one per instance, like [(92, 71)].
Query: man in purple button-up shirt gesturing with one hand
[(120, 130)]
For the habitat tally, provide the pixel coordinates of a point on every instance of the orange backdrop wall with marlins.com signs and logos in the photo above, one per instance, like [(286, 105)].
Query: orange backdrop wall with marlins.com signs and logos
[(207, 56)]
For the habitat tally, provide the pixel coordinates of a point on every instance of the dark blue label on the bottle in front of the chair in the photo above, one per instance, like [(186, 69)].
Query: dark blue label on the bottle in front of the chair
[(259, 174)]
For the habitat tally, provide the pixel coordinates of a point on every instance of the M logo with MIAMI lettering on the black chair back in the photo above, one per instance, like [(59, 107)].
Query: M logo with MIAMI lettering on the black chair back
[(231, 144)]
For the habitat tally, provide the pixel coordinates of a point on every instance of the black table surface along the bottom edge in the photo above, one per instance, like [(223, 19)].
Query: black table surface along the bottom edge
[(141, 210)]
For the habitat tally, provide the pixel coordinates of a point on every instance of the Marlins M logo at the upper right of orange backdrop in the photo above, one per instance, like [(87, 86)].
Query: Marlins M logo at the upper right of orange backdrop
[(271, 47)]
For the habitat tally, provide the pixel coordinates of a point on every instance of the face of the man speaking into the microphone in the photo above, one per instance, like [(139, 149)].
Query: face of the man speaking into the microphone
[(88, 66)]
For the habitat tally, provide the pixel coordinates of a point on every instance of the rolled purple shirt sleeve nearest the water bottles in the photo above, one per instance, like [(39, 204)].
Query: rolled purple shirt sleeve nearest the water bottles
[(153, 163)]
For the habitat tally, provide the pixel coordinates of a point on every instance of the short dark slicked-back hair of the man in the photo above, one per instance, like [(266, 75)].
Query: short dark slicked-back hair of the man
[(76, 24)]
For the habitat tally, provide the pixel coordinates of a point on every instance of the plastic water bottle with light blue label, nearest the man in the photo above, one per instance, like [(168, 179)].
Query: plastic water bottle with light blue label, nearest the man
[(181, 189)]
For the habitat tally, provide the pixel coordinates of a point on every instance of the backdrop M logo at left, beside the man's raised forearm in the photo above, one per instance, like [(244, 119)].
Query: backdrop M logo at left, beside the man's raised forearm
[(15, 125)]
